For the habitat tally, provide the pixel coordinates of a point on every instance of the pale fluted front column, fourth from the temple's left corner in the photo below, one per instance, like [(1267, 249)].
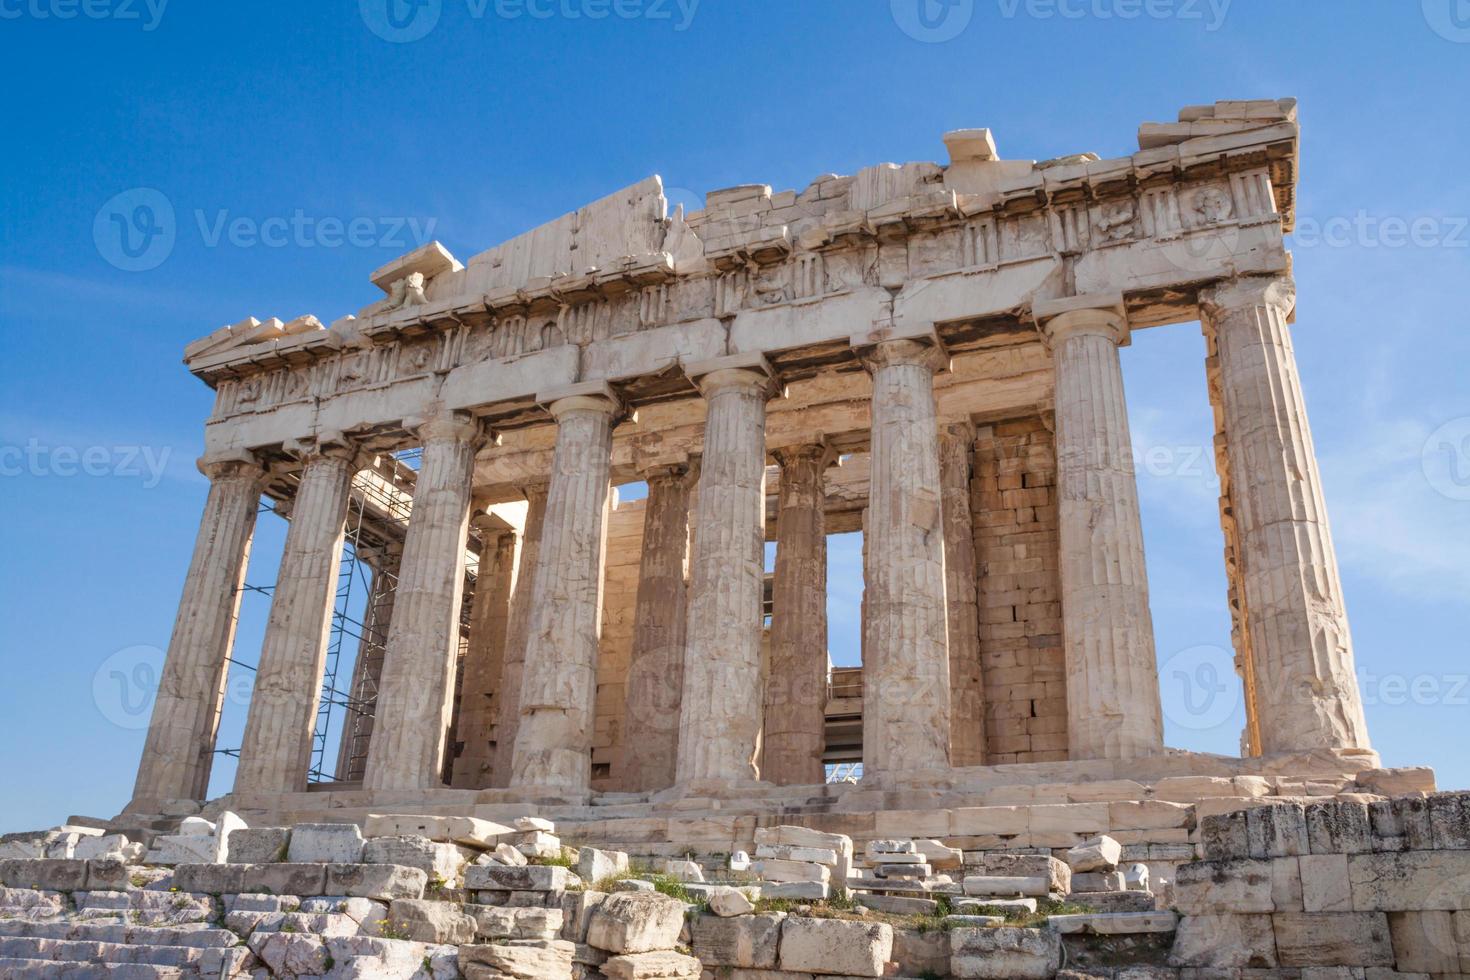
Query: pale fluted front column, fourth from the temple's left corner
[(559, 677)]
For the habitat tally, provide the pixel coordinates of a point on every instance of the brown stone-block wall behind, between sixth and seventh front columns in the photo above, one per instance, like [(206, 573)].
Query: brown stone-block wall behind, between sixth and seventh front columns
[(1015, 505)]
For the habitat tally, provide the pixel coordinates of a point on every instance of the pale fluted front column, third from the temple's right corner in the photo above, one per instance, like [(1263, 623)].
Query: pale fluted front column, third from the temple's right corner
[(906, 674)]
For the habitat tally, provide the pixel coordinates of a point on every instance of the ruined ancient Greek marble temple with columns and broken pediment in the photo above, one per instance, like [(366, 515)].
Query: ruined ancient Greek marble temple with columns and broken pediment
[(928, 353)]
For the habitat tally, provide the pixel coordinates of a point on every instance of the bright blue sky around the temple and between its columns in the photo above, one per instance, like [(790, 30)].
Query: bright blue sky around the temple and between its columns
[(298, 148)]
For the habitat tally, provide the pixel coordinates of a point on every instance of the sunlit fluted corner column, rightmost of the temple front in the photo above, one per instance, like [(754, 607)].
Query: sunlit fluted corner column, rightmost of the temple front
[(1300, 663)]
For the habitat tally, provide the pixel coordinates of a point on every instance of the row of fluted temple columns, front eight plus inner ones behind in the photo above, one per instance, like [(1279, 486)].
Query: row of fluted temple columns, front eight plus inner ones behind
[(698, 693)]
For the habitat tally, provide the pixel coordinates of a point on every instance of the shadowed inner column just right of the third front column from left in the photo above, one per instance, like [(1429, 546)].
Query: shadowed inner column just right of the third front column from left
[(486, 656)]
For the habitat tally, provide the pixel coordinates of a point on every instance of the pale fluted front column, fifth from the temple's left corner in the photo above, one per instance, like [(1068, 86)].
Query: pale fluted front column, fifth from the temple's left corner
[(720, 712)]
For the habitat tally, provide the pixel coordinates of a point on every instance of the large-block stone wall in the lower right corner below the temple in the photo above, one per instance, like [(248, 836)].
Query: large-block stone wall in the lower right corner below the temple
[(1337, 885)]
